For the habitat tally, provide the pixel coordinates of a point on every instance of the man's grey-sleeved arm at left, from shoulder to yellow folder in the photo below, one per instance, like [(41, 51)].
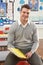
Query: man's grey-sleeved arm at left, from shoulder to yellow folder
[(11, 35)]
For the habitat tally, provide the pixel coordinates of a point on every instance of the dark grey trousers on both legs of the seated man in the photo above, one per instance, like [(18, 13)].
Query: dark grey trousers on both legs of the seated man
[(13, 60)]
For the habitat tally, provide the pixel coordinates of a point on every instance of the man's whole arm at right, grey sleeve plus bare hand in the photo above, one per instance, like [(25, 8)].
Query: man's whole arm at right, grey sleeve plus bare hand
[(35, 43)]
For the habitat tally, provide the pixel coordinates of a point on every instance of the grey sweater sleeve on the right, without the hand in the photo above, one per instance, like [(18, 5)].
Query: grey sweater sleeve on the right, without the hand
[(35, 40)]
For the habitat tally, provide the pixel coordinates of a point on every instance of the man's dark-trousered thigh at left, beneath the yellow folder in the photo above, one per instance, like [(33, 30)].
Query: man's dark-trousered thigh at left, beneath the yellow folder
[(11, 59)]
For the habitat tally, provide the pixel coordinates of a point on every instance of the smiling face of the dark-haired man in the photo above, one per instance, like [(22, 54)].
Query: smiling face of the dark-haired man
[(24, 14)]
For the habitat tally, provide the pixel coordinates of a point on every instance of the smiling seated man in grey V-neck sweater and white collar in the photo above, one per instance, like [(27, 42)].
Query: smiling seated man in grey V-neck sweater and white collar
[(23, 35)]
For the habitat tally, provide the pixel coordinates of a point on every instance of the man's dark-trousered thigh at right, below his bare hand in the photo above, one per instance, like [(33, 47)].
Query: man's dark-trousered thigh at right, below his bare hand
[(35, 60)]
